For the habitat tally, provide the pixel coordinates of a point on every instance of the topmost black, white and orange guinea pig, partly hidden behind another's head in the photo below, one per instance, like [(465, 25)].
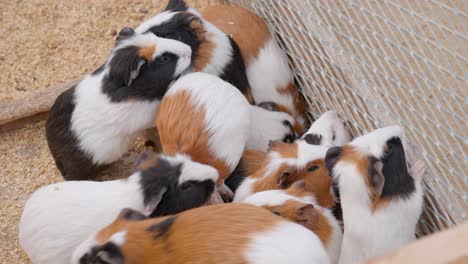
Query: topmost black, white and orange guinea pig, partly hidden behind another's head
[(213, 51)]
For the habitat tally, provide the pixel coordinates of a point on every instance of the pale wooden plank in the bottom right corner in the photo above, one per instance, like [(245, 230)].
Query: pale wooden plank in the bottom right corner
[(449, 246)]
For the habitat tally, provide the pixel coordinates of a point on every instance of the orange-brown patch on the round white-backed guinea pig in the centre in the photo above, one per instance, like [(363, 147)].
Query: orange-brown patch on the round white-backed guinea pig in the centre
[(182, 129)]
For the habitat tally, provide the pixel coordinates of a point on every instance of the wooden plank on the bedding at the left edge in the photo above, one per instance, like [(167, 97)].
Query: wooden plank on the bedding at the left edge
[(32, 103)]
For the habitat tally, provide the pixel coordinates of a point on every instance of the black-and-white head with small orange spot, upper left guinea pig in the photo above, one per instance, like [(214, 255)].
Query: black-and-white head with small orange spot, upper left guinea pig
[(141, 66)]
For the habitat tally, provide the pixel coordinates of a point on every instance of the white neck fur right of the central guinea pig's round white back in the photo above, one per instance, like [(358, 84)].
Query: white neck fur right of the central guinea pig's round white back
[(266, 126)]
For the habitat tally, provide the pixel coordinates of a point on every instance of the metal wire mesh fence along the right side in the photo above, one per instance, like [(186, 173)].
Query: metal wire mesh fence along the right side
[(386, 62)]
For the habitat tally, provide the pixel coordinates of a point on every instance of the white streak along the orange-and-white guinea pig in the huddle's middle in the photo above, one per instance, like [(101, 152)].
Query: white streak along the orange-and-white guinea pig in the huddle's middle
[(306, 154)]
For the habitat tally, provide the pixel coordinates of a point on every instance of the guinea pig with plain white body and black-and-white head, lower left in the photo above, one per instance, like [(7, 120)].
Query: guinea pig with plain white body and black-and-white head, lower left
[(58, 217)]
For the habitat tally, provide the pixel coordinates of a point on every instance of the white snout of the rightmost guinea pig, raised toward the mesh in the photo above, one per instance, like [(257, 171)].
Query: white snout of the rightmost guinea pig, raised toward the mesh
[(371, 143)]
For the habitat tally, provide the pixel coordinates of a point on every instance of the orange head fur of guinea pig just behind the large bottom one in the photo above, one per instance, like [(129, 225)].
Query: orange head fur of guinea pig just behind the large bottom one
[(307, 216)]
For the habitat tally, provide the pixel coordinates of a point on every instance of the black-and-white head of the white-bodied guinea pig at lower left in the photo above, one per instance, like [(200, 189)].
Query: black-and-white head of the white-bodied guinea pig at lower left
[(172, 184)]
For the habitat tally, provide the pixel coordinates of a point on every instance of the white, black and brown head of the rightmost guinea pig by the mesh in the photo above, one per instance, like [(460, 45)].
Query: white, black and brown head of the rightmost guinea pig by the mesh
[(372, 168)]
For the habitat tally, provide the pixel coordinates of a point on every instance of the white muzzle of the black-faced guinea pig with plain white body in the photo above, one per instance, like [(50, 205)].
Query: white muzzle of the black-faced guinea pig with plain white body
[(192, 170)]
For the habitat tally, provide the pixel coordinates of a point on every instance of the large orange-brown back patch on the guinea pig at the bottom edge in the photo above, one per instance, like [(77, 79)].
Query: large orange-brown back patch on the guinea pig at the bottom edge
[(210, 234)]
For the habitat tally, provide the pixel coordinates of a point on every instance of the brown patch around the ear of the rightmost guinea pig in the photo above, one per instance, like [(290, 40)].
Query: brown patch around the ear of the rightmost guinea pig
[(352, 155)]
